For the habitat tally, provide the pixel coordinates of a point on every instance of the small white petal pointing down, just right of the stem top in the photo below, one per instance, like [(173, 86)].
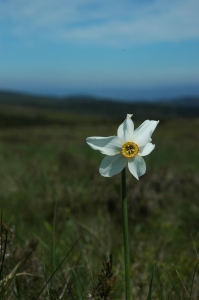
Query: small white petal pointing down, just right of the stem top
[(137, 166)]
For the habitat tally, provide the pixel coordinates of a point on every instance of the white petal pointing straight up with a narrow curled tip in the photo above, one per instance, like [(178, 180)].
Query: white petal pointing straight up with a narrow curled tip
[(126, 129)]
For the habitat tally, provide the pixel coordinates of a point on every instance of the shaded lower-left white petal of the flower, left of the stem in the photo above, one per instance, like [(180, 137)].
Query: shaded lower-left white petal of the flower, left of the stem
[(112, 165)]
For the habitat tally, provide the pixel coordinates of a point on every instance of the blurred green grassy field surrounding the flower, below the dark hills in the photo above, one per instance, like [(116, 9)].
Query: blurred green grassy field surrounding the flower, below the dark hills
[(63, 210)]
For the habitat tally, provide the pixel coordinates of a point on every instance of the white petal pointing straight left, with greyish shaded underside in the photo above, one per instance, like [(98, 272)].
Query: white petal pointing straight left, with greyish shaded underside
[(107, 145)]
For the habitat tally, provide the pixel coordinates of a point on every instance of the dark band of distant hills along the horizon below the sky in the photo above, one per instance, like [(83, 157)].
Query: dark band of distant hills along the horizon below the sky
[(177, 108)]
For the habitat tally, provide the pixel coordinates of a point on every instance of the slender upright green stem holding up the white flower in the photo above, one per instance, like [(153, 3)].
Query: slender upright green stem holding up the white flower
[(126, 236)]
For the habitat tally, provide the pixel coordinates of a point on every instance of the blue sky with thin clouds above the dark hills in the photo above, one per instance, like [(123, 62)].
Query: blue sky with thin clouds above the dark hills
[(138, 49)]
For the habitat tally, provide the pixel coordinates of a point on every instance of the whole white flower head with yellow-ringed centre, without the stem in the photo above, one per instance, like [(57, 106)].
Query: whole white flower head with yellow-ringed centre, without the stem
[(127, 147)]
